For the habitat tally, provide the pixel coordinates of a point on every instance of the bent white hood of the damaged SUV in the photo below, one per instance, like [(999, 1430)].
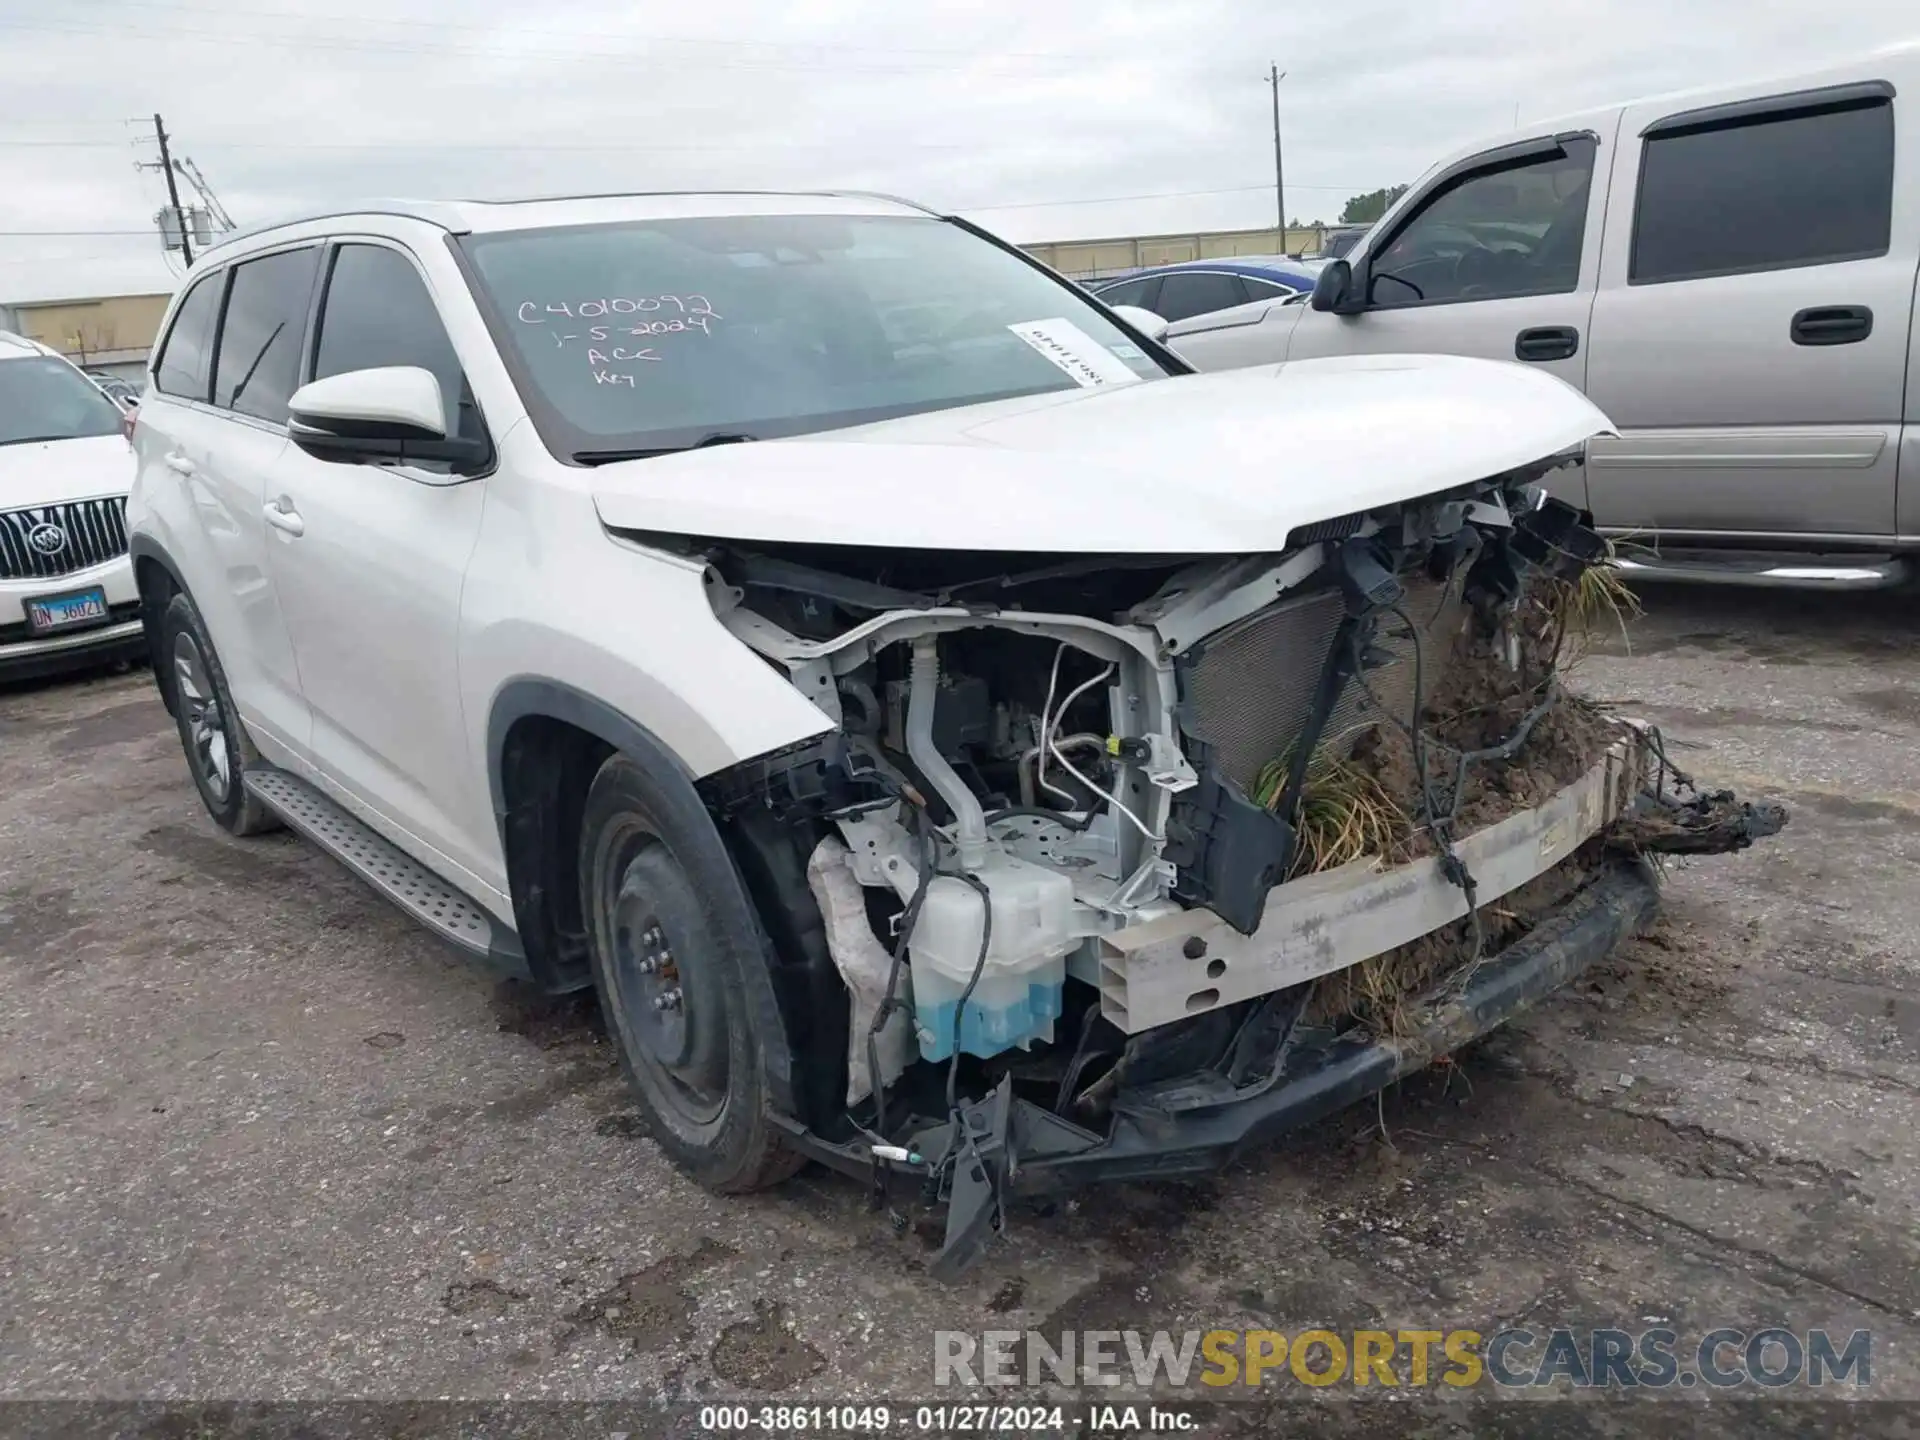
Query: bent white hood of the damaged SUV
[(1220, 464)]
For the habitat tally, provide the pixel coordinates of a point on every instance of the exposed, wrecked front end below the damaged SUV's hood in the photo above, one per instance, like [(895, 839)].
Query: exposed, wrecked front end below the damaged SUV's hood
[(1099, 838)]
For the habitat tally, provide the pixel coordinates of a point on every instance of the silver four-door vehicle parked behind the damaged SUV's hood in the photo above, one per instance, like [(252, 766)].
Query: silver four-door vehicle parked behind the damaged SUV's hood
[(1729, 276)]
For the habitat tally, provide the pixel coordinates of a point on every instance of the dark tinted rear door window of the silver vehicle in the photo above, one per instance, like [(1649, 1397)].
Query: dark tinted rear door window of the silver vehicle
[(1808, 187)]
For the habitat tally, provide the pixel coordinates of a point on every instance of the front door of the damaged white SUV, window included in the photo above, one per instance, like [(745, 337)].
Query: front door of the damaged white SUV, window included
[(370, 564)]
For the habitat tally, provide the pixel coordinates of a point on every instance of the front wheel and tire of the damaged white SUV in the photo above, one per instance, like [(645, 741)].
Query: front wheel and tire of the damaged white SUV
[(675, 988)]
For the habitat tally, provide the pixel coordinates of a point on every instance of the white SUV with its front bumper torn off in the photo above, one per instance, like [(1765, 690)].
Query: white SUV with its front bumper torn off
[(892, 679)]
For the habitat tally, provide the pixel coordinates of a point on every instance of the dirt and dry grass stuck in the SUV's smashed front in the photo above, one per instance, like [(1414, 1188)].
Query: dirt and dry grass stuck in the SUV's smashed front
[(1368, 798)]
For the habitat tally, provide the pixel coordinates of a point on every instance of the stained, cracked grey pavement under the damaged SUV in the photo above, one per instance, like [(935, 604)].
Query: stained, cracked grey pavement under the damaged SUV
[(264, 1140)]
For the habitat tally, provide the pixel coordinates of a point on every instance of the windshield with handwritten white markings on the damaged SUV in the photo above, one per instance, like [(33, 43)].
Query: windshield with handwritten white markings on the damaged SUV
[(661, 335)]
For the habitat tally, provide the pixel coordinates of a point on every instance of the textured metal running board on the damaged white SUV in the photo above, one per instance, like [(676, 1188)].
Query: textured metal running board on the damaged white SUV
[(446, 911)]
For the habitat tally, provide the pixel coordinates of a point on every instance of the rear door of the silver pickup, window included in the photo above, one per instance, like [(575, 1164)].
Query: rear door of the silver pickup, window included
[(1750, 335)]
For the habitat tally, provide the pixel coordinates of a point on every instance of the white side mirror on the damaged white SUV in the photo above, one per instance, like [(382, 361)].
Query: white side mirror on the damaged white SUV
[(387, 414)]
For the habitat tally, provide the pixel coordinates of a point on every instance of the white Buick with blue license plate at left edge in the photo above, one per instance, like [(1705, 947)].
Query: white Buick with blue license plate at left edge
[(66, 587)]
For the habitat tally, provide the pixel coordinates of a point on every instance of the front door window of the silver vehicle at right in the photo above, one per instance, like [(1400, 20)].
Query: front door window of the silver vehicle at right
[(1491, 235)]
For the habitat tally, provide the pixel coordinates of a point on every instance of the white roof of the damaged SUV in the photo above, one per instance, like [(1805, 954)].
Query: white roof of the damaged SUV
[(539, 212)]
